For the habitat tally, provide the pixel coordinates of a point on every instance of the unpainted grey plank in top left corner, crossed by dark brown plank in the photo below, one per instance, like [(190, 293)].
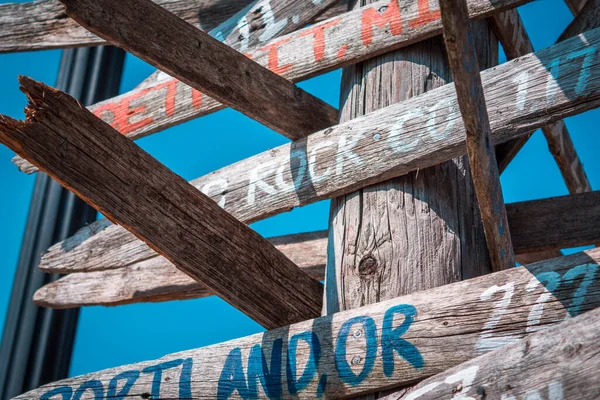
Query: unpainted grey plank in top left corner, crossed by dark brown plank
[(43, 24)]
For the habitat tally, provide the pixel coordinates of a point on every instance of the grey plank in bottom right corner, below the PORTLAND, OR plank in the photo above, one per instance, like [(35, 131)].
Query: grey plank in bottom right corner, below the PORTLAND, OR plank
[(560, 363)]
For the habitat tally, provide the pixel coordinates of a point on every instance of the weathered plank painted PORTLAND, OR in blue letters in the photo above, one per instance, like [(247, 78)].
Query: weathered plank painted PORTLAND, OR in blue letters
[(378, 346)]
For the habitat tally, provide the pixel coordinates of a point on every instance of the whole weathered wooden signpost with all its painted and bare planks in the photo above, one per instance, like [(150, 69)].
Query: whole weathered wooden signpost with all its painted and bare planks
[(513, 334)]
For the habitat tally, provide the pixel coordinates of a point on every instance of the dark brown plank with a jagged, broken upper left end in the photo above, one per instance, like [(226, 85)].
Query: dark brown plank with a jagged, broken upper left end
[(132, 188)]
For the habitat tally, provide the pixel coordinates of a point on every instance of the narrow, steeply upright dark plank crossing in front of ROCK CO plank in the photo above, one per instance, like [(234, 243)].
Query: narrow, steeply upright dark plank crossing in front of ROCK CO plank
[(462, 57)]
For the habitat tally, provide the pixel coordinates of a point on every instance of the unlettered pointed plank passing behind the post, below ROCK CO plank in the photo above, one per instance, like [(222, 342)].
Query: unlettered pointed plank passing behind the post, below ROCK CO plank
[(574, 221)]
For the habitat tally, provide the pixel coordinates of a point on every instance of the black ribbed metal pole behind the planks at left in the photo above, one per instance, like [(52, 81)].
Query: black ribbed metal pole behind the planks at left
[(37, 342)]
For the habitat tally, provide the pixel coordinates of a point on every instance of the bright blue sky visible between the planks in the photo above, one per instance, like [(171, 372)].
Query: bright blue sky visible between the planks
[(112, 336)]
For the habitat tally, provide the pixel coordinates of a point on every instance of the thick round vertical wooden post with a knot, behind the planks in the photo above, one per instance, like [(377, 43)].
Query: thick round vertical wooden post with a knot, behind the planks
[(418, 231)]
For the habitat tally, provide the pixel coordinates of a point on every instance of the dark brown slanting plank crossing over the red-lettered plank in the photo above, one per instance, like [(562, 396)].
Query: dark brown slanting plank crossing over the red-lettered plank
[(196, 58)]
